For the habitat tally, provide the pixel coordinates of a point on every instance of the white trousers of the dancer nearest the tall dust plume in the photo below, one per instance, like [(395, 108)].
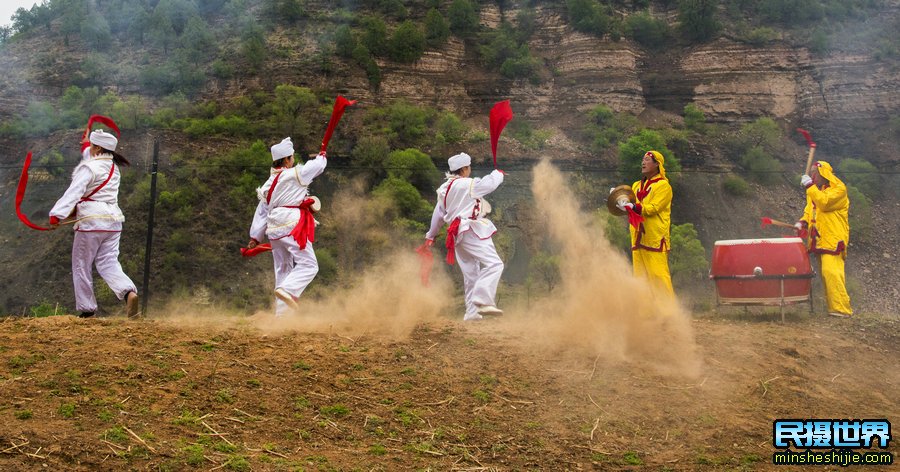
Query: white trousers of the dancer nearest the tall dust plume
[(481, 268)]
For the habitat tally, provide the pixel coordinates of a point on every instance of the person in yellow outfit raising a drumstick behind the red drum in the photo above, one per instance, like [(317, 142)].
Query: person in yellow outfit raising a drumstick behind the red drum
[(826, 220)]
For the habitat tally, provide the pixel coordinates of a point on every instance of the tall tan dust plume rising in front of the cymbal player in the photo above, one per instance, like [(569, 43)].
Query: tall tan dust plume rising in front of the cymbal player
[(599, 307)]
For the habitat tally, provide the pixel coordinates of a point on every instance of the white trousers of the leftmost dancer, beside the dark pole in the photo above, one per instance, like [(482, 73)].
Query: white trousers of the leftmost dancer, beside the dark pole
[(101, 249)]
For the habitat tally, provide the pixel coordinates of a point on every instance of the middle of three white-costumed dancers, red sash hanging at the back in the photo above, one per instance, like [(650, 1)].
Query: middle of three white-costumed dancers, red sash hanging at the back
[(284, 216)]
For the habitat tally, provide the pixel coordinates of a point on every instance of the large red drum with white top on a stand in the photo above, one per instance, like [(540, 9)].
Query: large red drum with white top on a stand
[(761, 271)]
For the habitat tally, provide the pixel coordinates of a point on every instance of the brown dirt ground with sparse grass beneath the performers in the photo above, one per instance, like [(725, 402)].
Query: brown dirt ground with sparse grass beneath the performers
[(220, 393)]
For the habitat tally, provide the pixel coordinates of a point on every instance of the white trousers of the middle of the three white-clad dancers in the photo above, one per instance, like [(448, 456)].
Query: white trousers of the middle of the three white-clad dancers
[(294, 268)]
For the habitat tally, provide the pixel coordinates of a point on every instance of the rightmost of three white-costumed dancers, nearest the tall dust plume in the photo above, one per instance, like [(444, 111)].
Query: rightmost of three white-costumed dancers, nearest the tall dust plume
[(460, 204)]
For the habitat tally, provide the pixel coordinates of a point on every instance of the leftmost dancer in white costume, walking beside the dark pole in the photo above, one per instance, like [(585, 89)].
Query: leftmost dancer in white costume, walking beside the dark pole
[(93, 198)]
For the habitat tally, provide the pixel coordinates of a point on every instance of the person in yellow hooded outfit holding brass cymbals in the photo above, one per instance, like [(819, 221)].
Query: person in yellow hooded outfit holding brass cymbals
[(650, 240)]
